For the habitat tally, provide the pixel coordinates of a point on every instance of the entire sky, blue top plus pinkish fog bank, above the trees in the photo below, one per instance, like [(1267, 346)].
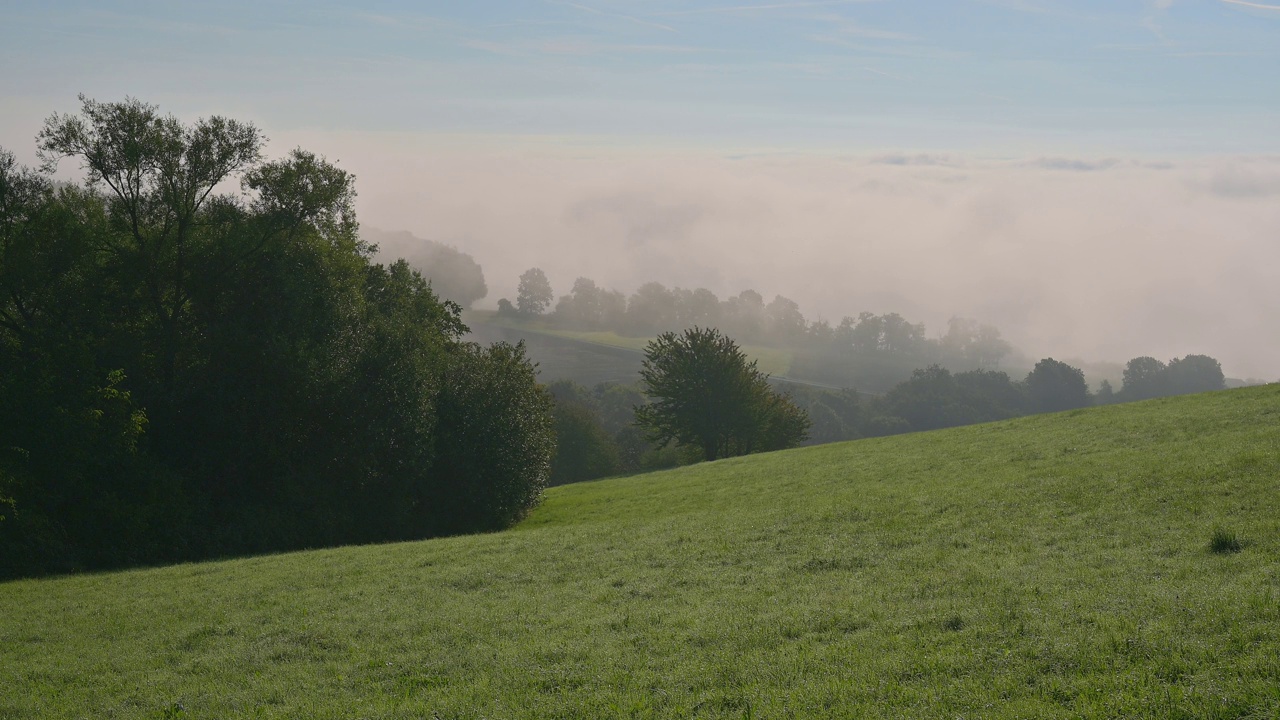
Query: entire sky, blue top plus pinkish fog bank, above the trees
[(1099, 180)]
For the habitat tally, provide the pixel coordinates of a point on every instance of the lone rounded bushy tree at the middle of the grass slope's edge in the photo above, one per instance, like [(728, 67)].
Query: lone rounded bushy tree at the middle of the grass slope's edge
[(706, 394)]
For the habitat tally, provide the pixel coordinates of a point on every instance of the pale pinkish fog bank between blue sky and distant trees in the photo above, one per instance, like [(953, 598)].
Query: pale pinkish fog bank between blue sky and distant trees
[(1098, 259)]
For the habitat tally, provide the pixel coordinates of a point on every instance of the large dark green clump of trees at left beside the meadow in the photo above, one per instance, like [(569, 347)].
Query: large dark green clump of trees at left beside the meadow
[(191, 372)]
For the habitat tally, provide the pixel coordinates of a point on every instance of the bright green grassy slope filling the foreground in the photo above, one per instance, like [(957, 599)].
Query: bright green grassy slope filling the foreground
[(1049, 567)]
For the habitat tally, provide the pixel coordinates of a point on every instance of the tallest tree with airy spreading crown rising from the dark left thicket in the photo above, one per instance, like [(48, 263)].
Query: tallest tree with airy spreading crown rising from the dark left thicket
[(161, 177)]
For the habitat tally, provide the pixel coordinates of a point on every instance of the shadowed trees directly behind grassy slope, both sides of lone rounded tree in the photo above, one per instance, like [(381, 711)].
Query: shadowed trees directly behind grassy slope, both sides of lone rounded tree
[(605, 440)]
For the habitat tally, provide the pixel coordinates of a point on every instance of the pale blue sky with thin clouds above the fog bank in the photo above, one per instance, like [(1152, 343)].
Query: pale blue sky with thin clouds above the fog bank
[(1182, 76)]
